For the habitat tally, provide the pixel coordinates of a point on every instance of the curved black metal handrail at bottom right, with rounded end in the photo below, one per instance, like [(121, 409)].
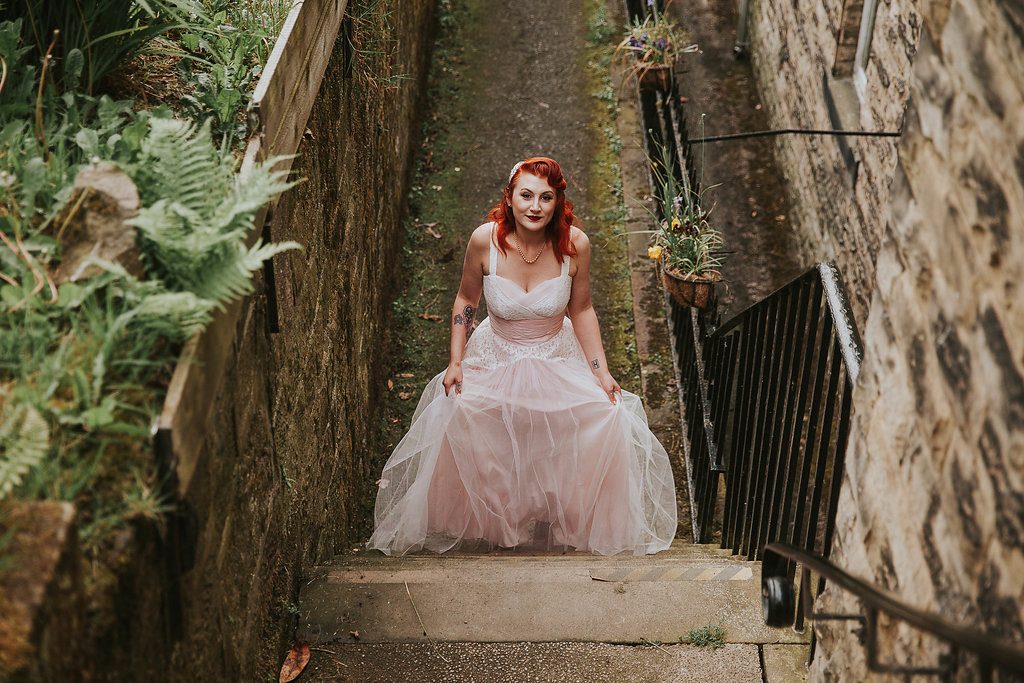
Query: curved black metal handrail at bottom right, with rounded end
[(778, 571)]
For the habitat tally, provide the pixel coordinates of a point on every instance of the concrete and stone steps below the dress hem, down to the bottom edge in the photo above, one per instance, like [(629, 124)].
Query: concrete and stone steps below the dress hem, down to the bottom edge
[(509, 616)]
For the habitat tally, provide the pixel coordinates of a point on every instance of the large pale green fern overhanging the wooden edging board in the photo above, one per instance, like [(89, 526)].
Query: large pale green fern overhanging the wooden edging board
[(195, 235)]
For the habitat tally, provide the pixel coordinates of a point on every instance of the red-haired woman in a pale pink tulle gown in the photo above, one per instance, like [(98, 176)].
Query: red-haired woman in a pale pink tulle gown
[(527, 439)]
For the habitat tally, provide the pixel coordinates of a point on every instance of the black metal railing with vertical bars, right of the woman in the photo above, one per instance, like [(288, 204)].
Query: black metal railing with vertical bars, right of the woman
[(766, 397)]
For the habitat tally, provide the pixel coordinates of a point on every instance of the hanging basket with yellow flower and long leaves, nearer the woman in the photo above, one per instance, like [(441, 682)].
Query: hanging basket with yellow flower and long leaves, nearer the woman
[(686, 245)]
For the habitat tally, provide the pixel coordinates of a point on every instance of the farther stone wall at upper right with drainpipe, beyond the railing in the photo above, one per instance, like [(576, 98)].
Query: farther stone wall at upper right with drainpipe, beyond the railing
[(840, 187)]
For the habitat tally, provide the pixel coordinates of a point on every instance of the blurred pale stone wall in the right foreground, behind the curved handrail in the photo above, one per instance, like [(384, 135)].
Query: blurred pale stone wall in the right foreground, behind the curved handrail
[(933, 504)]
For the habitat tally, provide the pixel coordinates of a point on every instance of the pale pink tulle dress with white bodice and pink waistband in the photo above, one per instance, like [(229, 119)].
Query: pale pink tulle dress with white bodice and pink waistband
[(532, 453)]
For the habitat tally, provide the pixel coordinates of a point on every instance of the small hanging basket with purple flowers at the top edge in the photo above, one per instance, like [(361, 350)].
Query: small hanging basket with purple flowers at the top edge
[(656, 44)]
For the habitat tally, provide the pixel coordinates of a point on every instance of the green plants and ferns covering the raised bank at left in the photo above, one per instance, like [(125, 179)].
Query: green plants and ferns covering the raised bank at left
[(83, 366)]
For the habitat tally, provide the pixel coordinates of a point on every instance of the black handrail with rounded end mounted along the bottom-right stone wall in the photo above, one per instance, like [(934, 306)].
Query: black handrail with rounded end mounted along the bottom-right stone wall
[(776, 573)]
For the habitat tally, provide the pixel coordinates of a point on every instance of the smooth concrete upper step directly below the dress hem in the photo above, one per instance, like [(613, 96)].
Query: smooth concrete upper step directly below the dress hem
[(520, 597)]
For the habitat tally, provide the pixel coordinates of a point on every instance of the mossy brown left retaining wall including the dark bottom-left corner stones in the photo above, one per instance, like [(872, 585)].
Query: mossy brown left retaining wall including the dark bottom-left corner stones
[(284, 481)]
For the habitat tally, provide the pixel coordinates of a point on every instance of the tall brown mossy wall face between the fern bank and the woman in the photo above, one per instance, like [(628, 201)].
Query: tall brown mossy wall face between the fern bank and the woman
[(285, 478)]
